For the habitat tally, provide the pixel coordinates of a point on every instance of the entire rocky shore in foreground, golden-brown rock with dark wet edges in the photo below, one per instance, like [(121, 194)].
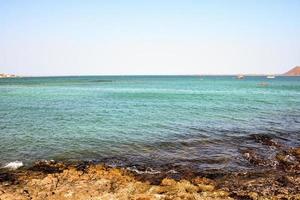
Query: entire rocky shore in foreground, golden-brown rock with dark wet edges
[(50, 180)]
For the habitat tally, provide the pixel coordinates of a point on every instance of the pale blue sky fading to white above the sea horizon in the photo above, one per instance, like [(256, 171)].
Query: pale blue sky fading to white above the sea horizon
[(172, 37)]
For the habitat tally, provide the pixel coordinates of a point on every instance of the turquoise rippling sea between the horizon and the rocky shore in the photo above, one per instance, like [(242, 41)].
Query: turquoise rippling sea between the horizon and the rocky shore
[(203, 122)]
